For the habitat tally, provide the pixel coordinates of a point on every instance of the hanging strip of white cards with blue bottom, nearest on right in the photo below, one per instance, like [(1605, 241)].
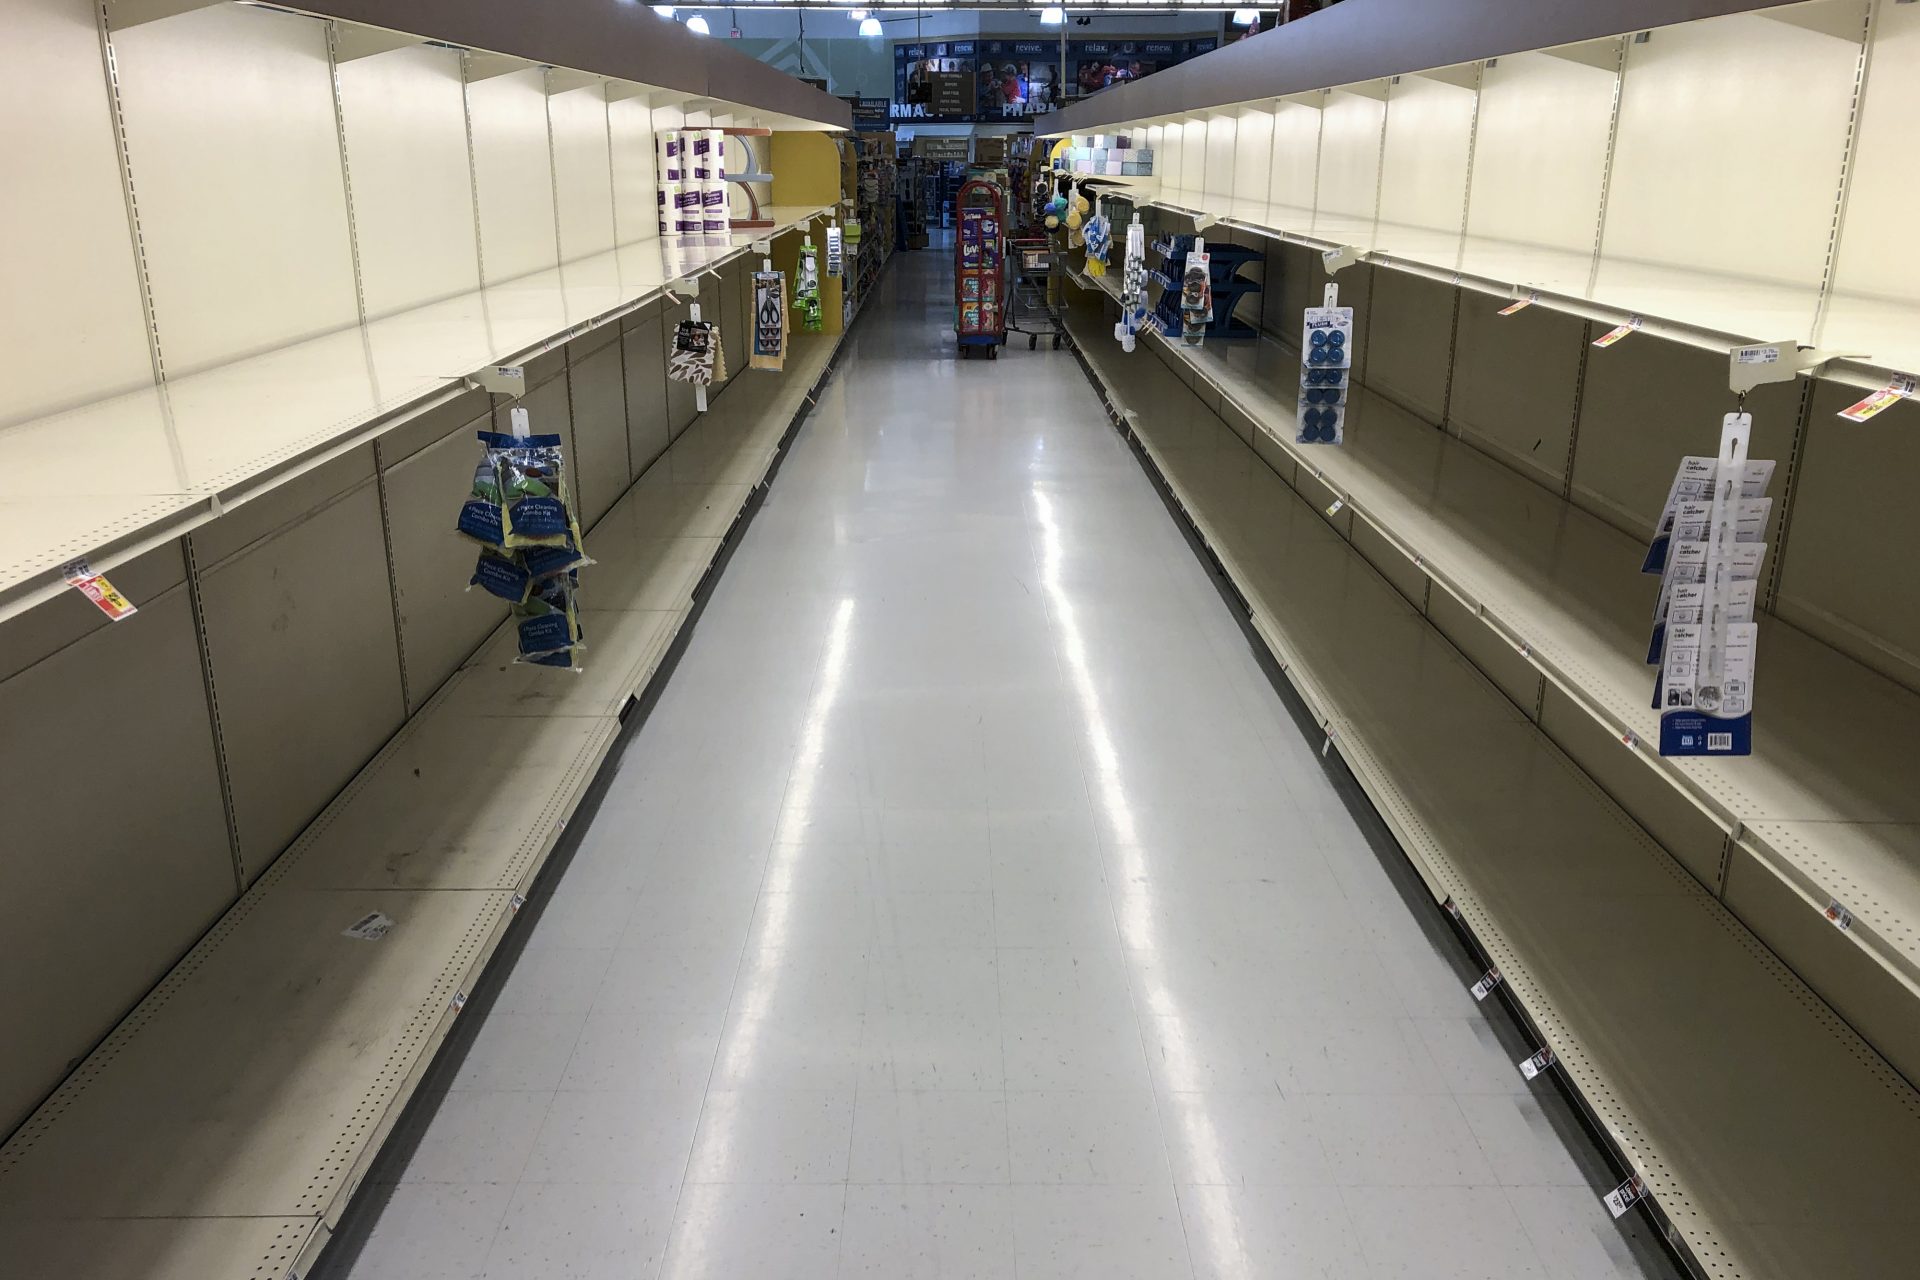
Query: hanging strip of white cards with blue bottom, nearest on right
[(1710, 550)]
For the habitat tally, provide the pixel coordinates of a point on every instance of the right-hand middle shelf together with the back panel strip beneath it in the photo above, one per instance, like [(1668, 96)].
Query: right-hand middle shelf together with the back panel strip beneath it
[(1548, 600)]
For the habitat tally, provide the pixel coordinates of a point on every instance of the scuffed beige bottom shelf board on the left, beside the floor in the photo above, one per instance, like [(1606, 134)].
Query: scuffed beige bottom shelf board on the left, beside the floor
[(224, 1126)]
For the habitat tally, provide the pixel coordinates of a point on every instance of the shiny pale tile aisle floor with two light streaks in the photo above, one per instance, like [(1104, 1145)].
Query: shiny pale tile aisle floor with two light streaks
[(971, 907)]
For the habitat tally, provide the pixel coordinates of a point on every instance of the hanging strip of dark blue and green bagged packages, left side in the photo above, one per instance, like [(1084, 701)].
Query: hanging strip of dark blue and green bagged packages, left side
[(531, 550)]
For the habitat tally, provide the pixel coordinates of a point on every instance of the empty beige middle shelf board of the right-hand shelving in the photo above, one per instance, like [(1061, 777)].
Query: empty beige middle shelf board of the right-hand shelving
[(1562, 590)]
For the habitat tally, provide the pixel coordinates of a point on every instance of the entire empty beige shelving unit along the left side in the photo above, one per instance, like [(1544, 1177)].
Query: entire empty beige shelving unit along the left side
[(249, 379)]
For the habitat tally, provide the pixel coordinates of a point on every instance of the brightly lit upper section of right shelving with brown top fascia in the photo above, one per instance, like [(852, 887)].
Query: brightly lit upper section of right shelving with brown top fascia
[(1566, 158)]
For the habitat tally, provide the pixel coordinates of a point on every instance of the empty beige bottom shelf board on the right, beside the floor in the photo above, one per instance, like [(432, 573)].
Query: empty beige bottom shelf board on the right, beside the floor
[(1771, 1137)]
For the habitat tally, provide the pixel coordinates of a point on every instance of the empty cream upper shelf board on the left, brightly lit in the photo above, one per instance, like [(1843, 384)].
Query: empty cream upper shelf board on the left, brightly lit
[(143, 469)]
